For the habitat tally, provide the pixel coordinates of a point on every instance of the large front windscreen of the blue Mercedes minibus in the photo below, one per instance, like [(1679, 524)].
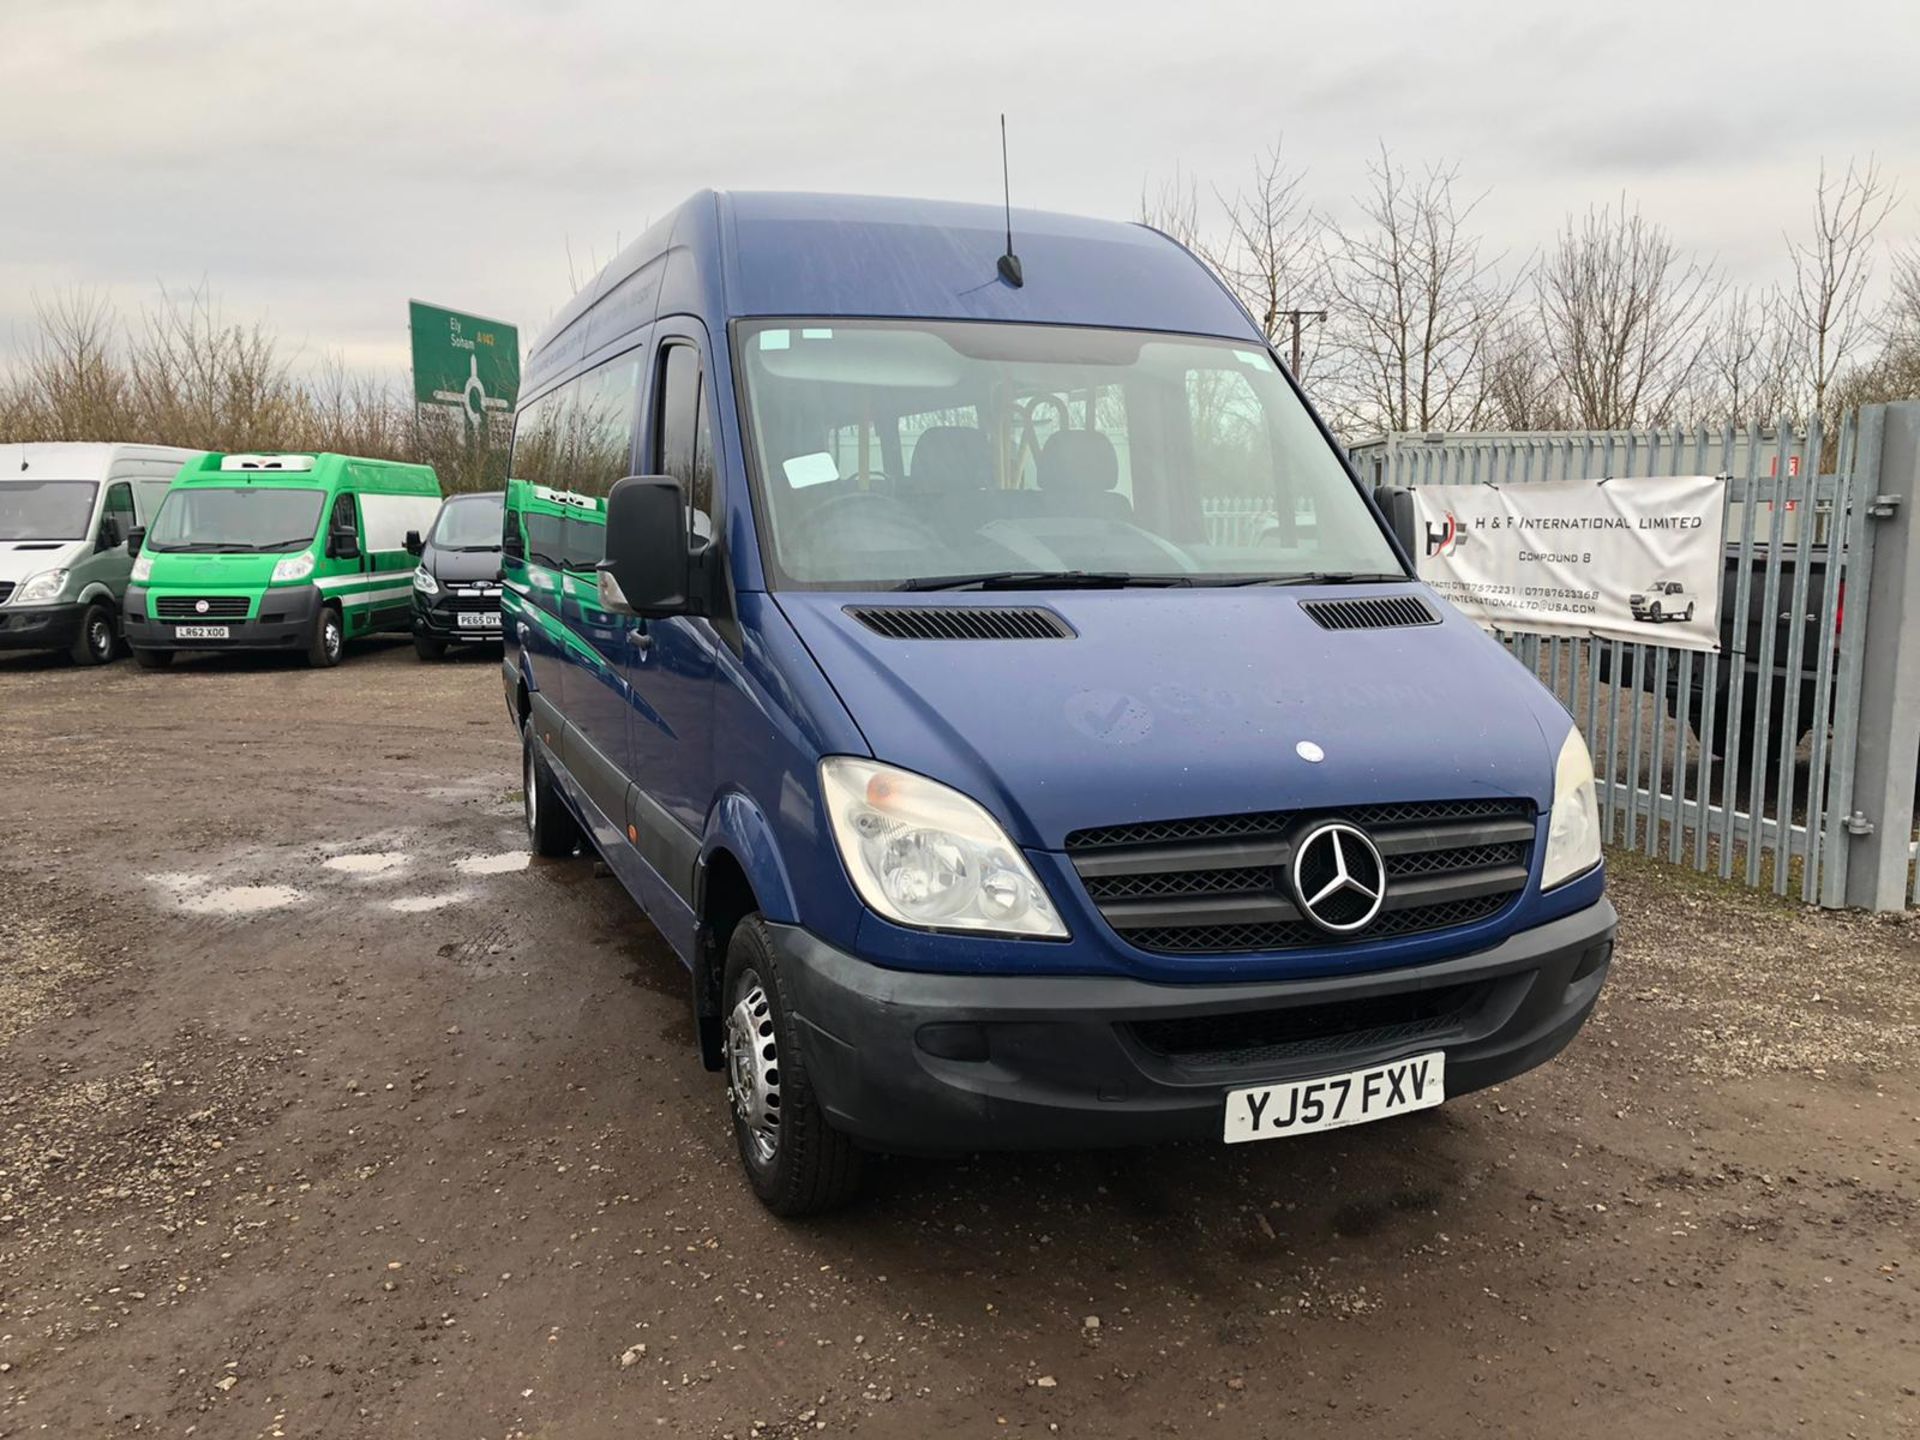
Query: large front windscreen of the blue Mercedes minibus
[(905, 452)]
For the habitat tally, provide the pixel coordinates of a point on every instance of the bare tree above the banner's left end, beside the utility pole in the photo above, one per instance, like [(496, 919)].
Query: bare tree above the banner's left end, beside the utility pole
[(1418, 302)]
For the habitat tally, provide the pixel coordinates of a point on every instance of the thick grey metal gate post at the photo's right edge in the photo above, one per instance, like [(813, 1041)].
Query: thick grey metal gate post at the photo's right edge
[(1888, 732)]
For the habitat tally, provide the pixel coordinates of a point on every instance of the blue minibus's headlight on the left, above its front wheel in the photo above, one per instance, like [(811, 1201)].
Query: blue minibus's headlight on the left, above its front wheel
[(928, 857)]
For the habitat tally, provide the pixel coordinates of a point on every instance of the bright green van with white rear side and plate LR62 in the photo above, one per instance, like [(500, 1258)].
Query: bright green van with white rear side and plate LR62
[(279, 554)]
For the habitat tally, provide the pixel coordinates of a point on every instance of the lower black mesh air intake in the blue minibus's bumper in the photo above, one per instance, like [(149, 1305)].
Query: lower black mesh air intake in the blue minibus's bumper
[(1268, 1038)]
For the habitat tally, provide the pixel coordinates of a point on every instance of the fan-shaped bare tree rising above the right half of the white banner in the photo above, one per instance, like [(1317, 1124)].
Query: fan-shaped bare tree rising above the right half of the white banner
[(1623, 318)]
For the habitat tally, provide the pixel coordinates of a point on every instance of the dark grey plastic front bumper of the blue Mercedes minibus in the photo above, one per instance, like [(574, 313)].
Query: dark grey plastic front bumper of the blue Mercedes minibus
[(1084, 1061)]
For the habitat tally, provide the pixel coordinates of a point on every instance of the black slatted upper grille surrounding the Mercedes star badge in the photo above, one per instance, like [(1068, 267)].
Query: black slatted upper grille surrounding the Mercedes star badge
[(1220, 884)]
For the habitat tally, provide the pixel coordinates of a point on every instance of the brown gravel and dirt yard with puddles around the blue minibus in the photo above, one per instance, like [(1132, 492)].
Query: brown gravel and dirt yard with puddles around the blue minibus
[(327, 1113)]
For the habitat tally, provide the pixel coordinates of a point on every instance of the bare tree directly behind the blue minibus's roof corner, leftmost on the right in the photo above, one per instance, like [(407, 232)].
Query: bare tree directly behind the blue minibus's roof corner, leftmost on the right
[(1272, 256)]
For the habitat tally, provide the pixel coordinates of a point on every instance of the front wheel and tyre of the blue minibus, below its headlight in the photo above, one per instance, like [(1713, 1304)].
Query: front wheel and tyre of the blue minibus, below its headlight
[(796, 1161)]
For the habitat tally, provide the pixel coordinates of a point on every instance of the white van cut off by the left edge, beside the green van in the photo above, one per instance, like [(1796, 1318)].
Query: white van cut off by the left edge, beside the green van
[(66, 512)]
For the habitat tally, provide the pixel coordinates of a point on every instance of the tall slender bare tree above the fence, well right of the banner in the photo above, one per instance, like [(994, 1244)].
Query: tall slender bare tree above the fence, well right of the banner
[(1833, 272)]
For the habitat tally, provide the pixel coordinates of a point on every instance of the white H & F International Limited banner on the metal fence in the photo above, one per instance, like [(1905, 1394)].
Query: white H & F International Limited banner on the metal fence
[(1627, 560)]
